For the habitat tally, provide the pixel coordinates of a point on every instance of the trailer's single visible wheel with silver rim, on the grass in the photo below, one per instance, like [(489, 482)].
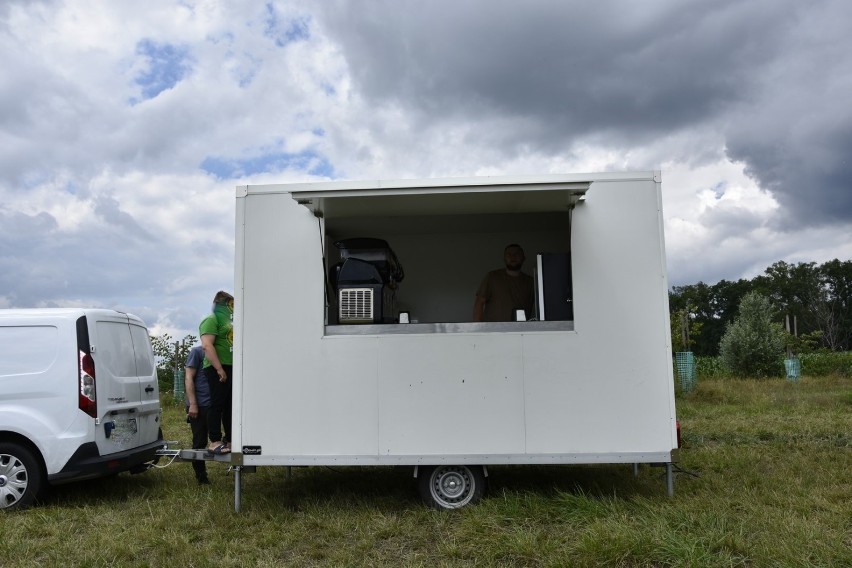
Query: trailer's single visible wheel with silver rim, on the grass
[(447, 487)]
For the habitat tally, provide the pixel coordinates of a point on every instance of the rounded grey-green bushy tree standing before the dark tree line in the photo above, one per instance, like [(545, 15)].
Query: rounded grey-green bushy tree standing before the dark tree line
[(753, 344)]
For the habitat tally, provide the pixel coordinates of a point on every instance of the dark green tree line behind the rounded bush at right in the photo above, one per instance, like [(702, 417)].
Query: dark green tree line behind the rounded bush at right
[(816, 300)]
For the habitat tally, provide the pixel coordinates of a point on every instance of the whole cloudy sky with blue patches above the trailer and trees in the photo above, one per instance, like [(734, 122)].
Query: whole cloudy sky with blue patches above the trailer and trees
[(126, 126)]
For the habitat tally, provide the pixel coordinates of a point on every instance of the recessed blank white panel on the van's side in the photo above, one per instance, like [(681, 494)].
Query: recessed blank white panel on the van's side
[(31, 349)]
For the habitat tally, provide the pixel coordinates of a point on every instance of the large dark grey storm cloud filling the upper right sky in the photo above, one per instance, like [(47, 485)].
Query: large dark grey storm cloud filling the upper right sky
[(767, 74)]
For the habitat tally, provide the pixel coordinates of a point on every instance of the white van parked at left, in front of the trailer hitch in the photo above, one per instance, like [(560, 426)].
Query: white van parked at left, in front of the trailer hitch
[(78, 399)]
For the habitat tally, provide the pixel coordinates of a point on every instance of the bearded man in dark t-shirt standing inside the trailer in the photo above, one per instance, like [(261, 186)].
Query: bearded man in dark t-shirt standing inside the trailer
[(505, 290)]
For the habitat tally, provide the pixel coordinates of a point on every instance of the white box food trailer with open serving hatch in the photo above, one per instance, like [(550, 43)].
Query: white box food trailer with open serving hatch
[(325, 373)]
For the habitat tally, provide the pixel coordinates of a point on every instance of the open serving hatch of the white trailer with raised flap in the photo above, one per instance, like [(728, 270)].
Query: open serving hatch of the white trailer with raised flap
[(422, 252)]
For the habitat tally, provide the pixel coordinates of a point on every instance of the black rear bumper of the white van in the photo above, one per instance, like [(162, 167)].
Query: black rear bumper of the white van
[(87, 463)]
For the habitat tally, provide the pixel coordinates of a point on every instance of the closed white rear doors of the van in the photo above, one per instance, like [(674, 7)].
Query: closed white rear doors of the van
[(128, 398)]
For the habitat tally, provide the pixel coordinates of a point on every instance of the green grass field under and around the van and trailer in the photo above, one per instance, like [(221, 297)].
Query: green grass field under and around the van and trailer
[(769, 484)]
